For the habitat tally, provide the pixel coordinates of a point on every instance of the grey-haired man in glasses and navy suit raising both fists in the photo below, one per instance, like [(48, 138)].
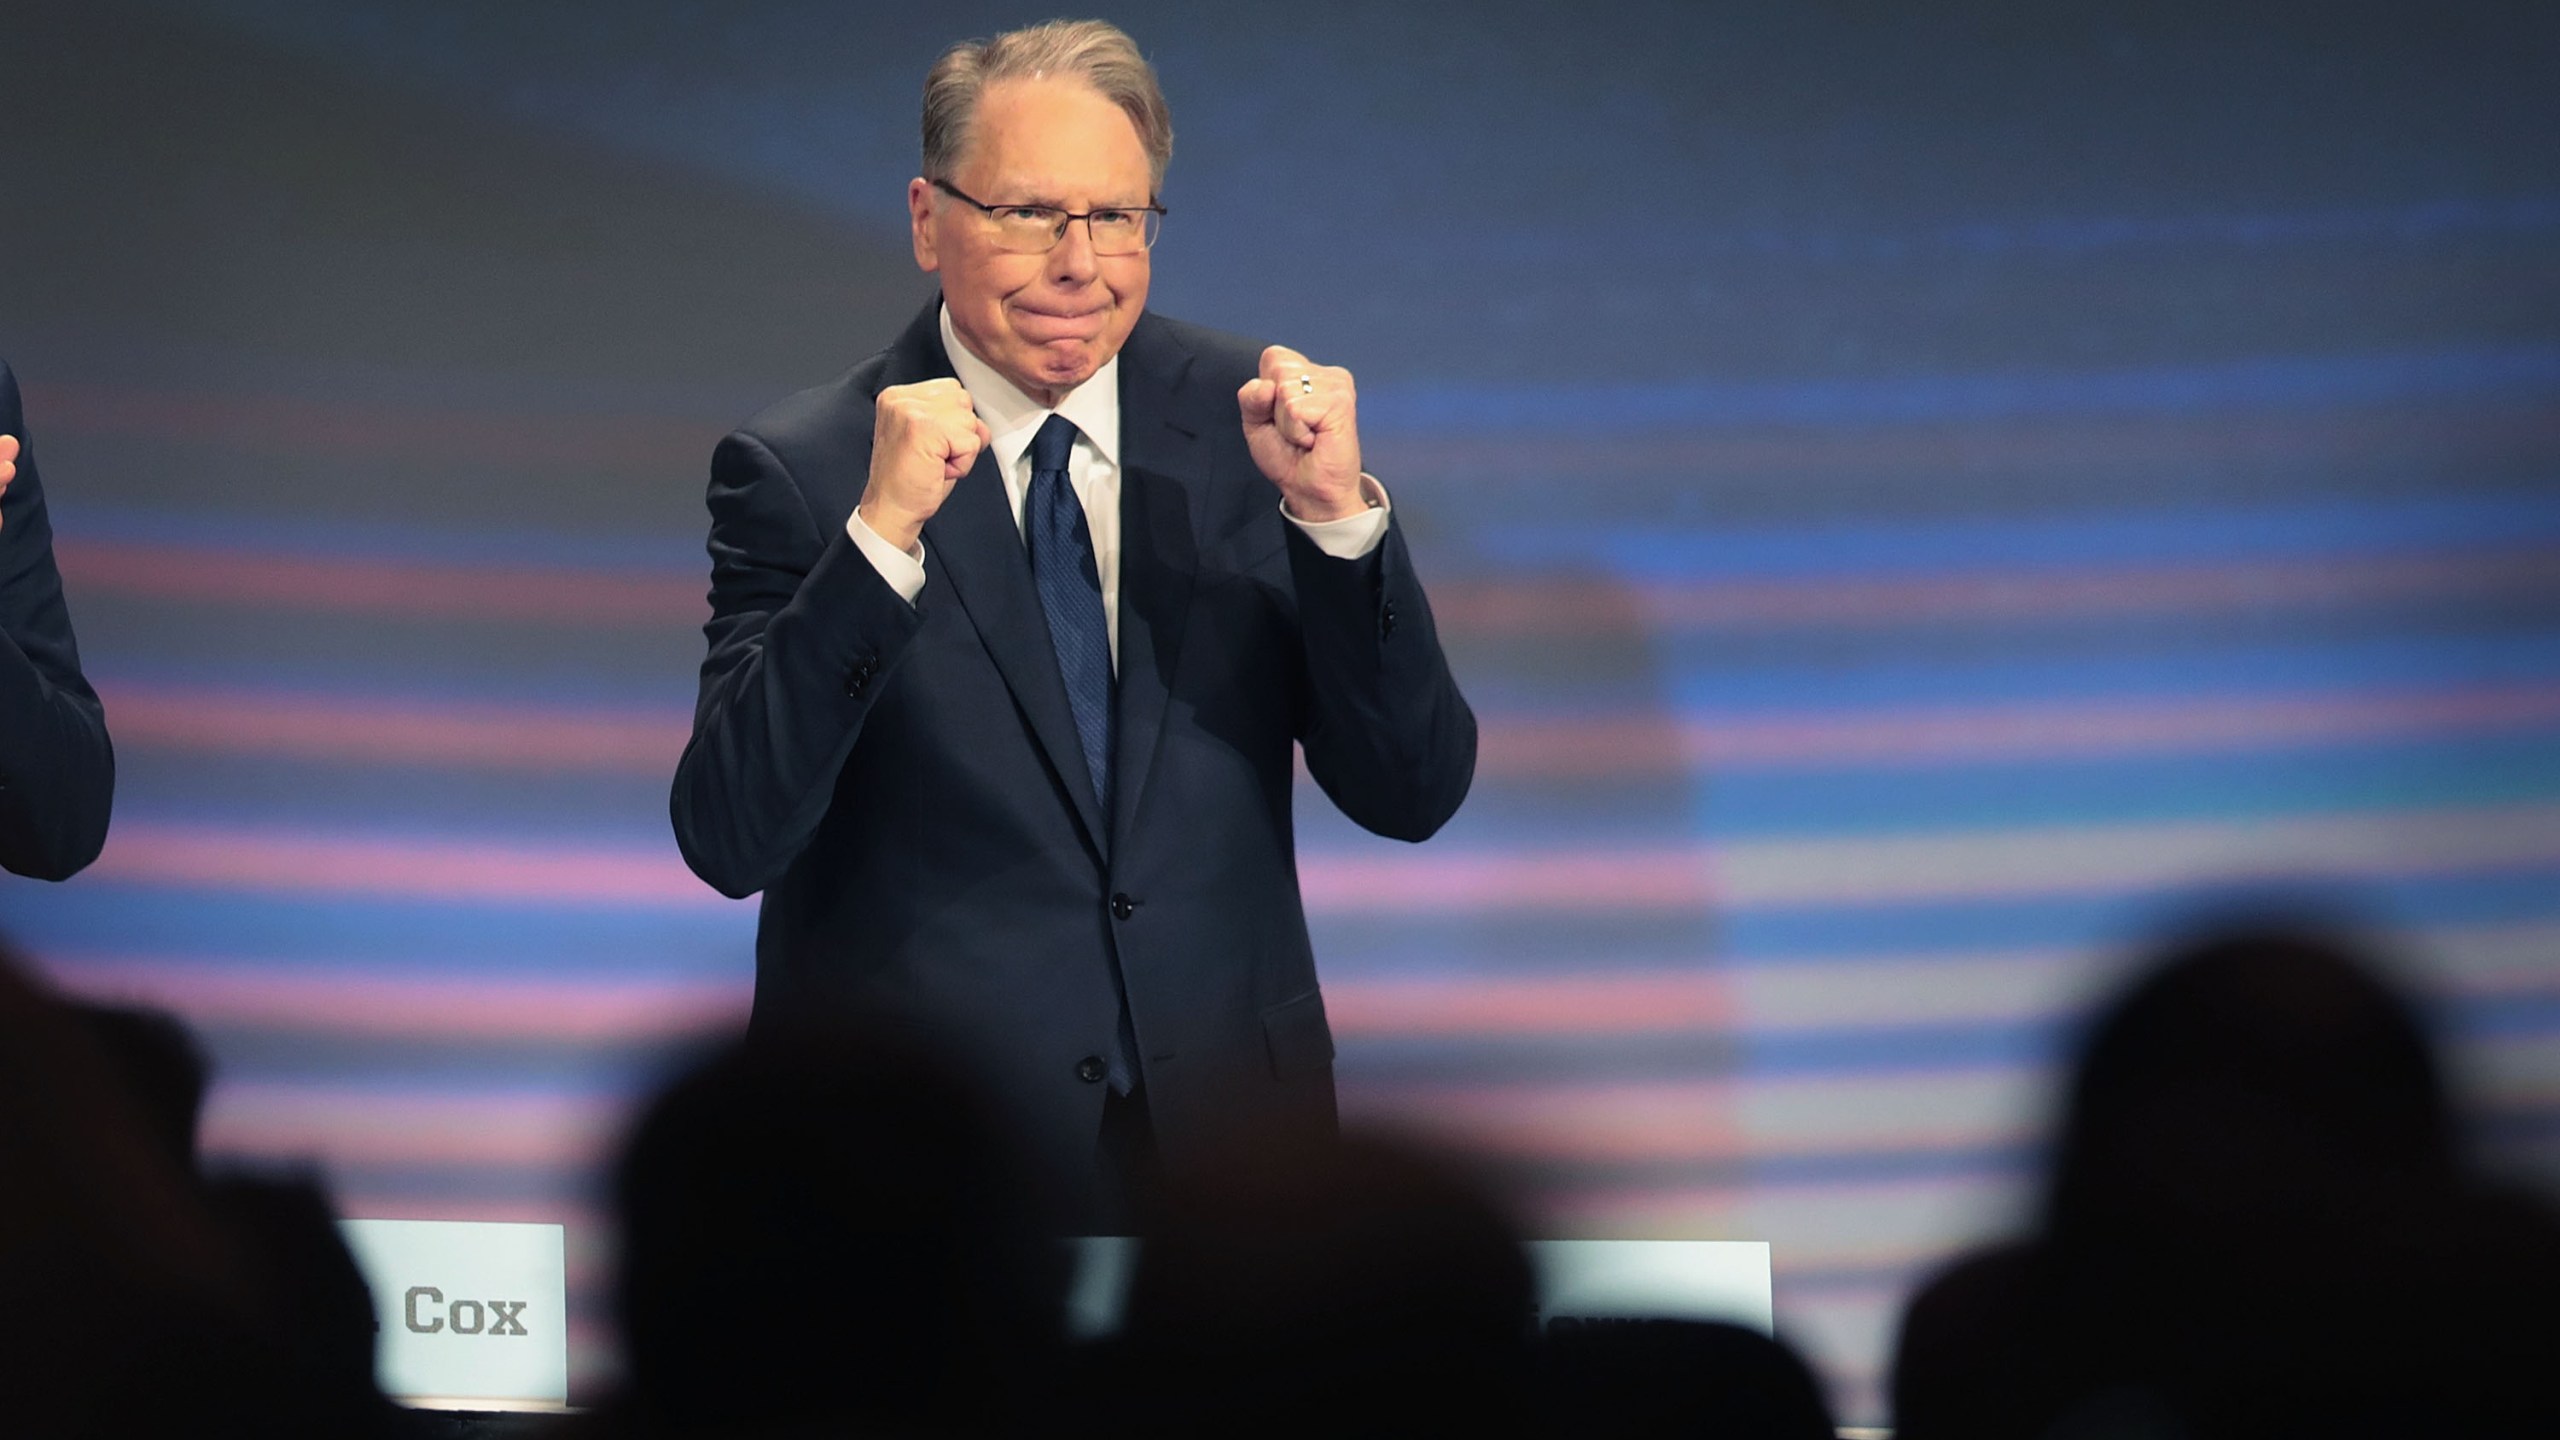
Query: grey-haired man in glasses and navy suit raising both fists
[(1015, 629)]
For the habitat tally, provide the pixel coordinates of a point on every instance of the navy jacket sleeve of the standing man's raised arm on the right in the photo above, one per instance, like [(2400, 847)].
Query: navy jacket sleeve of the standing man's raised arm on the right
[(1389, 737)]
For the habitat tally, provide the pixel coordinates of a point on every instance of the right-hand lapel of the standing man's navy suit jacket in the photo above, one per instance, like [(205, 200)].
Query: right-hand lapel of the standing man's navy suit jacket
[(1161, 552)]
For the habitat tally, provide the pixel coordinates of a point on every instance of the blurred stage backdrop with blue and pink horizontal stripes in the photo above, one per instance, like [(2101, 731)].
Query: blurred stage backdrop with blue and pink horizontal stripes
[(1914, 493)]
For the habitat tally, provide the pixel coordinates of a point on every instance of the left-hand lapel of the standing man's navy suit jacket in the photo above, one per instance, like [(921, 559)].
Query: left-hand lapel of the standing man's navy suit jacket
[(977, 550)]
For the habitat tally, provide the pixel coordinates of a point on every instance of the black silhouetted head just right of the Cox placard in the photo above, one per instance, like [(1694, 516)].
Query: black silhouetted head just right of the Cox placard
[(828, 1229)]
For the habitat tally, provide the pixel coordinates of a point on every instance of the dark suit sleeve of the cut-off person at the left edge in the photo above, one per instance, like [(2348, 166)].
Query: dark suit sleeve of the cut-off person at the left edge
[(58, 773)]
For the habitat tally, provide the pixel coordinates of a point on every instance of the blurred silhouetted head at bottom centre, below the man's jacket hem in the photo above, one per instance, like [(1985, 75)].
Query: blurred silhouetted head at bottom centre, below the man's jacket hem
[(1338, 1290)]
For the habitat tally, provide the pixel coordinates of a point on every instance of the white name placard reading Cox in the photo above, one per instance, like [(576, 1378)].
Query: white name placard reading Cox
[(467, 1313)]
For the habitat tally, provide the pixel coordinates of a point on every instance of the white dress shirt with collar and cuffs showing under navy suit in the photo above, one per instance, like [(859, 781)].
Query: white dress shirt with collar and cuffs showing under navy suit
[(1012, 419)]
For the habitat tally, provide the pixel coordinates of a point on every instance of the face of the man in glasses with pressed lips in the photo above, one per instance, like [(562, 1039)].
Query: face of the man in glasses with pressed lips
[(1046, 322)]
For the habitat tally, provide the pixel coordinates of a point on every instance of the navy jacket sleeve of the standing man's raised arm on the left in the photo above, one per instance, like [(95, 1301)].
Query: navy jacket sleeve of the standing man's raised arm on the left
[(803, 639)]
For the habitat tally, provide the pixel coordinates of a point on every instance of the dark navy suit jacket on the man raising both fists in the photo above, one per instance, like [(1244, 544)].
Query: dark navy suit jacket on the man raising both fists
[(905, 785)]
